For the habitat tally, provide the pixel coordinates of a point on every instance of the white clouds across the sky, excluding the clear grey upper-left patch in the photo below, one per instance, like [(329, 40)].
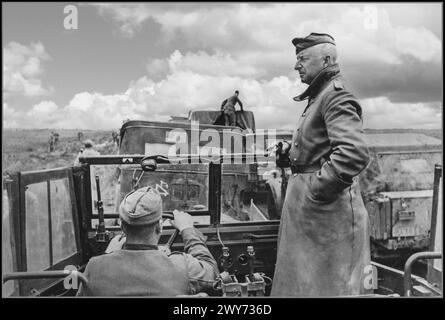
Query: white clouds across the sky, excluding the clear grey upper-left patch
[(394, 69)]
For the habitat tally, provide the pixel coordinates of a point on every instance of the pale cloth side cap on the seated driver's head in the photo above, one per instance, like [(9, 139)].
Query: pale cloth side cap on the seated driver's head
[(141, 207)]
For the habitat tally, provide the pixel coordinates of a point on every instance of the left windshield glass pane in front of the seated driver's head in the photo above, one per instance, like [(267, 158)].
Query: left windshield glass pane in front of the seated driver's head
[(182, 187)]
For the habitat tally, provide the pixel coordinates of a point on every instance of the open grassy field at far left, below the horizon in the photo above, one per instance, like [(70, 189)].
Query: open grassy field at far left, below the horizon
[(28, 149)]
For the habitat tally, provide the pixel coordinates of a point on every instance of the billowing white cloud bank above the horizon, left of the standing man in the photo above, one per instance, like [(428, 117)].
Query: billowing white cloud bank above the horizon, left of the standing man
[(184, 88)]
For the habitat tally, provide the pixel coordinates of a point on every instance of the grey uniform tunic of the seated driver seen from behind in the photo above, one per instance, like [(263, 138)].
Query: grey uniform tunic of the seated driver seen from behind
[(146, 271)]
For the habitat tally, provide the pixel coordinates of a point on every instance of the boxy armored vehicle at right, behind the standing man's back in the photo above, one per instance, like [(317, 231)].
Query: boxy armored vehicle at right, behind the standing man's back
[(398, 190)]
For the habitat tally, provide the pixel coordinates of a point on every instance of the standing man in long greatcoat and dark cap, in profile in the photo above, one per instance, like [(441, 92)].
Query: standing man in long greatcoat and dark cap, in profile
[(323, 245)]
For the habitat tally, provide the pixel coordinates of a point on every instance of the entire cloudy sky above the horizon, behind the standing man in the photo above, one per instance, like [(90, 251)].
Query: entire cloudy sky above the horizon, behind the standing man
[(150, 61)]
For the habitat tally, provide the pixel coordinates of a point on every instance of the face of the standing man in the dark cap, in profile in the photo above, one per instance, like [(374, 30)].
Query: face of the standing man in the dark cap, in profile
[(309, 64)]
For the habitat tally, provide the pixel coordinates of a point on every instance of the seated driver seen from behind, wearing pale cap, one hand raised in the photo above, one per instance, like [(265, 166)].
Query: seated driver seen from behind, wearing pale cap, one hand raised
[(140, 268)]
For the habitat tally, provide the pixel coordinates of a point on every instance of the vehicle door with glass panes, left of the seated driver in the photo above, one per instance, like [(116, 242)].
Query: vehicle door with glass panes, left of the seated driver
[(42, 224)]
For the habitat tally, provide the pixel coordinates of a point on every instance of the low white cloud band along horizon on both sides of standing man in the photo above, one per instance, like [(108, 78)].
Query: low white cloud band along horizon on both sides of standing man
[(270, 100)]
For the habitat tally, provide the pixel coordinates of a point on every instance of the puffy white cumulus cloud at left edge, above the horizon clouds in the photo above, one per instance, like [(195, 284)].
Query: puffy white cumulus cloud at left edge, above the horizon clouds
[(22, 70)]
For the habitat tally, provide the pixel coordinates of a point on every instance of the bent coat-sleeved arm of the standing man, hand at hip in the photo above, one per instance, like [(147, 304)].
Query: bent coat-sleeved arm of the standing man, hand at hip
[(342, 115)]
